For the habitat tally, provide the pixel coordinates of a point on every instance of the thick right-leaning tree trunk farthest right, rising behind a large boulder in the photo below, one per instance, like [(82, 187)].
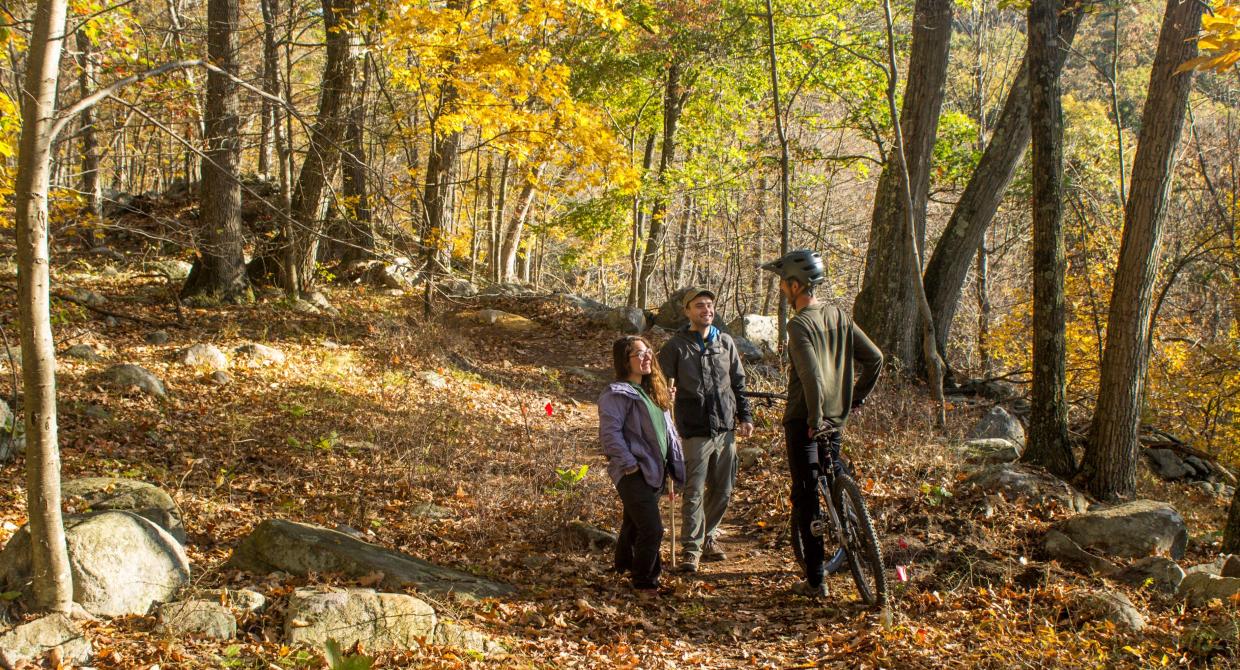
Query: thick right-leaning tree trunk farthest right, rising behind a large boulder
[(1110, 467)]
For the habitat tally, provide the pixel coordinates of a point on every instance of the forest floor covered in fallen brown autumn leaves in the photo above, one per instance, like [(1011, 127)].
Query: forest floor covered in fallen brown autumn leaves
[(350, 431)]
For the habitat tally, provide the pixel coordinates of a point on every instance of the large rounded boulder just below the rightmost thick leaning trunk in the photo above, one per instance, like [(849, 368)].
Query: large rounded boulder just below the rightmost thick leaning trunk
[(1133, 530)]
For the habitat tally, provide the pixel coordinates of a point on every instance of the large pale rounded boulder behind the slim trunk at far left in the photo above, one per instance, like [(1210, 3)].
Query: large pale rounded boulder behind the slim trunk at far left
[(121, 563)]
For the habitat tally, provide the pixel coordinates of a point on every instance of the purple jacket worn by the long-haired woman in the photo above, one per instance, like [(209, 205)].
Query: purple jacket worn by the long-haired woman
[(629, 437)]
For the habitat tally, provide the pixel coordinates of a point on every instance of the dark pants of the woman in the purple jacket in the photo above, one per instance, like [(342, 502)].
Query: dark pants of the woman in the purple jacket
[(642, 532)]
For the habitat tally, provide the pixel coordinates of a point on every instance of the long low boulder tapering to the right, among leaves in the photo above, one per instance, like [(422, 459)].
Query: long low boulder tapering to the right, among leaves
[(304, 549)]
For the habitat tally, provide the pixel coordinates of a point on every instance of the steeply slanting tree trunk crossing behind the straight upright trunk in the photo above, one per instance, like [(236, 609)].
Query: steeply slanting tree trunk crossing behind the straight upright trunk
[(949, 264)]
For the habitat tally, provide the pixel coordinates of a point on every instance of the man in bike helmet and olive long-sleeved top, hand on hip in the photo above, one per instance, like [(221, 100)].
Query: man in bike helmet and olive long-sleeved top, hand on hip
[(826, 351)]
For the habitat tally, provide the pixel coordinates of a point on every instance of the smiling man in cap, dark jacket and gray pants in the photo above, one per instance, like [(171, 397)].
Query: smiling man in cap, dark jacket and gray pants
[(705, 368)]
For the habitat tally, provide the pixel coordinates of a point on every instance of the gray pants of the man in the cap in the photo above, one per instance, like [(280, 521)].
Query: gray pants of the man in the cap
[(710, 473)]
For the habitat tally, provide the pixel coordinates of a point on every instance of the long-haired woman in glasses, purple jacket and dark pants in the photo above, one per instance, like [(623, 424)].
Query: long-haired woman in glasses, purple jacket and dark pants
[(643, 450)]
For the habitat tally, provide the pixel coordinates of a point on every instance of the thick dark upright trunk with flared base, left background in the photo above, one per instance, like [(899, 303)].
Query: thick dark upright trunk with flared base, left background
[(220, 271)]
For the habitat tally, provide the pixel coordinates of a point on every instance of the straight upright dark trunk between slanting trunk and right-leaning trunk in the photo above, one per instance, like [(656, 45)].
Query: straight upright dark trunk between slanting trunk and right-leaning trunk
[(1048, 422)]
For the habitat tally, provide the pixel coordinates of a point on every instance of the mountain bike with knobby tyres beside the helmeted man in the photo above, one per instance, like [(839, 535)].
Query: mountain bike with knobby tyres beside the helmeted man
[(844, 516)]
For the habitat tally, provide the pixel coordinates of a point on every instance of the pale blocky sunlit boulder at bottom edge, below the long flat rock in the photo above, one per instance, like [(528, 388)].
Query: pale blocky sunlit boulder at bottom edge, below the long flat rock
[(352, 616)]
